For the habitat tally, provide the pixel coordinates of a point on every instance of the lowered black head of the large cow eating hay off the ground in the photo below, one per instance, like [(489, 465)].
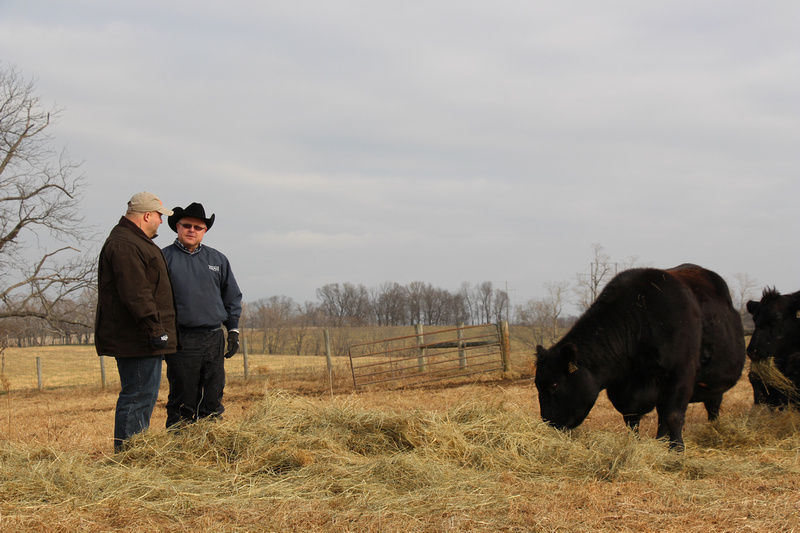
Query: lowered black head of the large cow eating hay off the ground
[(567, 389)]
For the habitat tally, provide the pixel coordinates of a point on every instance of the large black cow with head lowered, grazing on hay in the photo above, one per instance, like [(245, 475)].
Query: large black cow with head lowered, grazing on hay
[(653, 339)]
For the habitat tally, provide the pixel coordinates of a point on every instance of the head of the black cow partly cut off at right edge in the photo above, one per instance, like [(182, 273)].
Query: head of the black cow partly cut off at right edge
[(777, 321)]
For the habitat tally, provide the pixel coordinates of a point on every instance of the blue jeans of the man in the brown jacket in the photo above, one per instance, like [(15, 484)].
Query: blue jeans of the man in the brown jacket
[(140, 378)]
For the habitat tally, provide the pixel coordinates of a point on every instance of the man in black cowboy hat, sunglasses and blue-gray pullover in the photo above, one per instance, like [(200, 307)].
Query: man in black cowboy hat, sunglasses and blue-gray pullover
[(207, 298)]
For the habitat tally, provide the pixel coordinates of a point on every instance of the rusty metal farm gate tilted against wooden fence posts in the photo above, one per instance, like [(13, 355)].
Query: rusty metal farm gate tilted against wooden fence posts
[(431, 355)]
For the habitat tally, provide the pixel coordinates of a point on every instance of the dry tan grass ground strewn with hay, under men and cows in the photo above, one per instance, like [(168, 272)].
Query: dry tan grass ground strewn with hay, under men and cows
[(292, 455)]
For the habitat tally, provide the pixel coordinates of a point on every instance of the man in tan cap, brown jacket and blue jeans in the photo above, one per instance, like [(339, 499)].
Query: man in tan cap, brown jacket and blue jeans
[(136, 314)]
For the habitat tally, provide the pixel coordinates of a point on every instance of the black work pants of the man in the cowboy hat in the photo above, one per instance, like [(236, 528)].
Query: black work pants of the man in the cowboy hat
[(196, 376)]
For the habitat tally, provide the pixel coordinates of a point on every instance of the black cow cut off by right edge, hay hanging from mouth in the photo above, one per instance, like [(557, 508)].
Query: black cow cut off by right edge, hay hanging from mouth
[(776, 336)]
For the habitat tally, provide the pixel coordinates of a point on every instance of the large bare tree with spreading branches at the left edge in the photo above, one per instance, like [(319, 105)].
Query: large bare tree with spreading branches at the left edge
[(40, 222)]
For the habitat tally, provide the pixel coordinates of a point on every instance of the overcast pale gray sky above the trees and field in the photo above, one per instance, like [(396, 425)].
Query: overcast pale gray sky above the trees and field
[(435, 141)]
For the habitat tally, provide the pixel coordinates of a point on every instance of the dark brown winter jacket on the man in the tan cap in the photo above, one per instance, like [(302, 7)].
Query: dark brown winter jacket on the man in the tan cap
[(134, 301)]
